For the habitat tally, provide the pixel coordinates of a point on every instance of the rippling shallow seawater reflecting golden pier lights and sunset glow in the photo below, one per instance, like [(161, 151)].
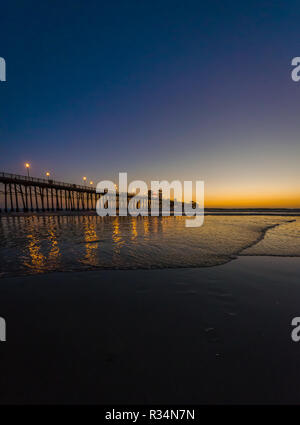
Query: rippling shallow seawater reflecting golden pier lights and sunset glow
[(31, 245)]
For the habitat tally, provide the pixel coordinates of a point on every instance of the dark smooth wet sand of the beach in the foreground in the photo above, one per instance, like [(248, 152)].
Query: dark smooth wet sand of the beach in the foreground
[(208, 335)]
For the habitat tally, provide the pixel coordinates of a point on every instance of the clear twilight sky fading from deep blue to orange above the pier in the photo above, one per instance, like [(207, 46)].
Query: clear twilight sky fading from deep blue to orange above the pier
[(158, 89)]
